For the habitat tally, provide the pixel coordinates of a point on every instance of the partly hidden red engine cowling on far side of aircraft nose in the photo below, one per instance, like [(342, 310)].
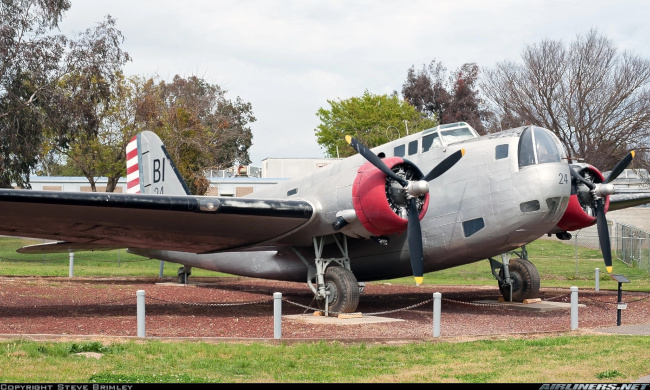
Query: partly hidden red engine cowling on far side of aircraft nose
[(580, 212)]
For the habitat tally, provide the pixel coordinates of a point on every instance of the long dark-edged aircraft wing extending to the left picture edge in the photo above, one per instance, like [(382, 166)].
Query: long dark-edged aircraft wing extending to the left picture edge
[(186, 223)]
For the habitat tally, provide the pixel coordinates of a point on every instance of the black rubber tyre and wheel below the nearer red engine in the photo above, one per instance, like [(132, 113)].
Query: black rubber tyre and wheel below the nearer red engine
[(343, 288)]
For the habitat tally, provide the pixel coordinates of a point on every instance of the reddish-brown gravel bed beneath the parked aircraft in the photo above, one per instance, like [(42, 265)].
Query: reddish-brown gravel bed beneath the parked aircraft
[(243, 308)]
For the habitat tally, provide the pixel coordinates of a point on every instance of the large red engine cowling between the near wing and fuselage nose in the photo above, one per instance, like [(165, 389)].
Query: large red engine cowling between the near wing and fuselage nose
[(379, 202)]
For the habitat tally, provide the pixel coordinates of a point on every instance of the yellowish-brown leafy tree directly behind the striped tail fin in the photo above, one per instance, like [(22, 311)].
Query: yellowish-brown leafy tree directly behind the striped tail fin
[(200, 127)]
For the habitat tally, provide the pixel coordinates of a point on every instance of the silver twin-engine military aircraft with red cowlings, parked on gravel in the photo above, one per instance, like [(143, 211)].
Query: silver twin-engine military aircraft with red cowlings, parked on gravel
[(429, 201)]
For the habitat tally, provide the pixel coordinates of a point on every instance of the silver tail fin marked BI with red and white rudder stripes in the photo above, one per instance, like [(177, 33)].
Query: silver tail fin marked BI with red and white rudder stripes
[(149, 169)]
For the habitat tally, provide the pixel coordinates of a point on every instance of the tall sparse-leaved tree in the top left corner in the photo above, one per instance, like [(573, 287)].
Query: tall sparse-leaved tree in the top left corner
[(33, 61)]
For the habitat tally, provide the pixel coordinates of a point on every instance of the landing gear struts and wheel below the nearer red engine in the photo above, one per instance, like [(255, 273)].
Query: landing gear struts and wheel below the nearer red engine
[(337, 289)]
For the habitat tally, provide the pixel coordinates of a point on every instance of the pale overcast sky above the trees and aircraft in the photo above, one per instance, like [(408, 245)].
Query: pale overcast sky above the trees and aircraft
[(288, 58)]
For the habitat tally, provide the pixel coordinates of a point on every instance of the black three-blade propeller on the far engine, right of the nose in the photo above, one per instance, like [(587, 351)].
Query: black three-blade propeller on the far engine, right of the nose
[(597, 192)]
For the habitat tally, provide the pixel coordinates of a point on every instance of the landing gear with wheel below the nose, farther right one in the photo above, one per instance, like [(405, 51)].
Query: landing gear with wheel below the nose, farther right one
[(518, 278)]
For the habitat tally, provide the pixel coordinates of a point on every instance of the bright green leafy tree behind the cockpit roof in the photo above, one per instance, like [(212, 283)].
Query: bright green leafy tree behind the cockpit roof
[(372, 119)]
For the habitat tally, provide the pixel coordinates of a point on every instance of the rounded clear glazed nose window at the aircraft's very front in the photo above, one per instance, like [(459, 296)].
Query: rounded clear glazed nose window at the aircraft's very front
[(538, 146)]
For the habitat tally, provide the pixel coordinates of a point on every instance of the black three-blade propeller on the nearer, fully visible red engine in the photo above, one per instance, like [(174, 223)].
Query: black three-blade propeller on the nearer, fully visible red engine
[(412, 189)]
